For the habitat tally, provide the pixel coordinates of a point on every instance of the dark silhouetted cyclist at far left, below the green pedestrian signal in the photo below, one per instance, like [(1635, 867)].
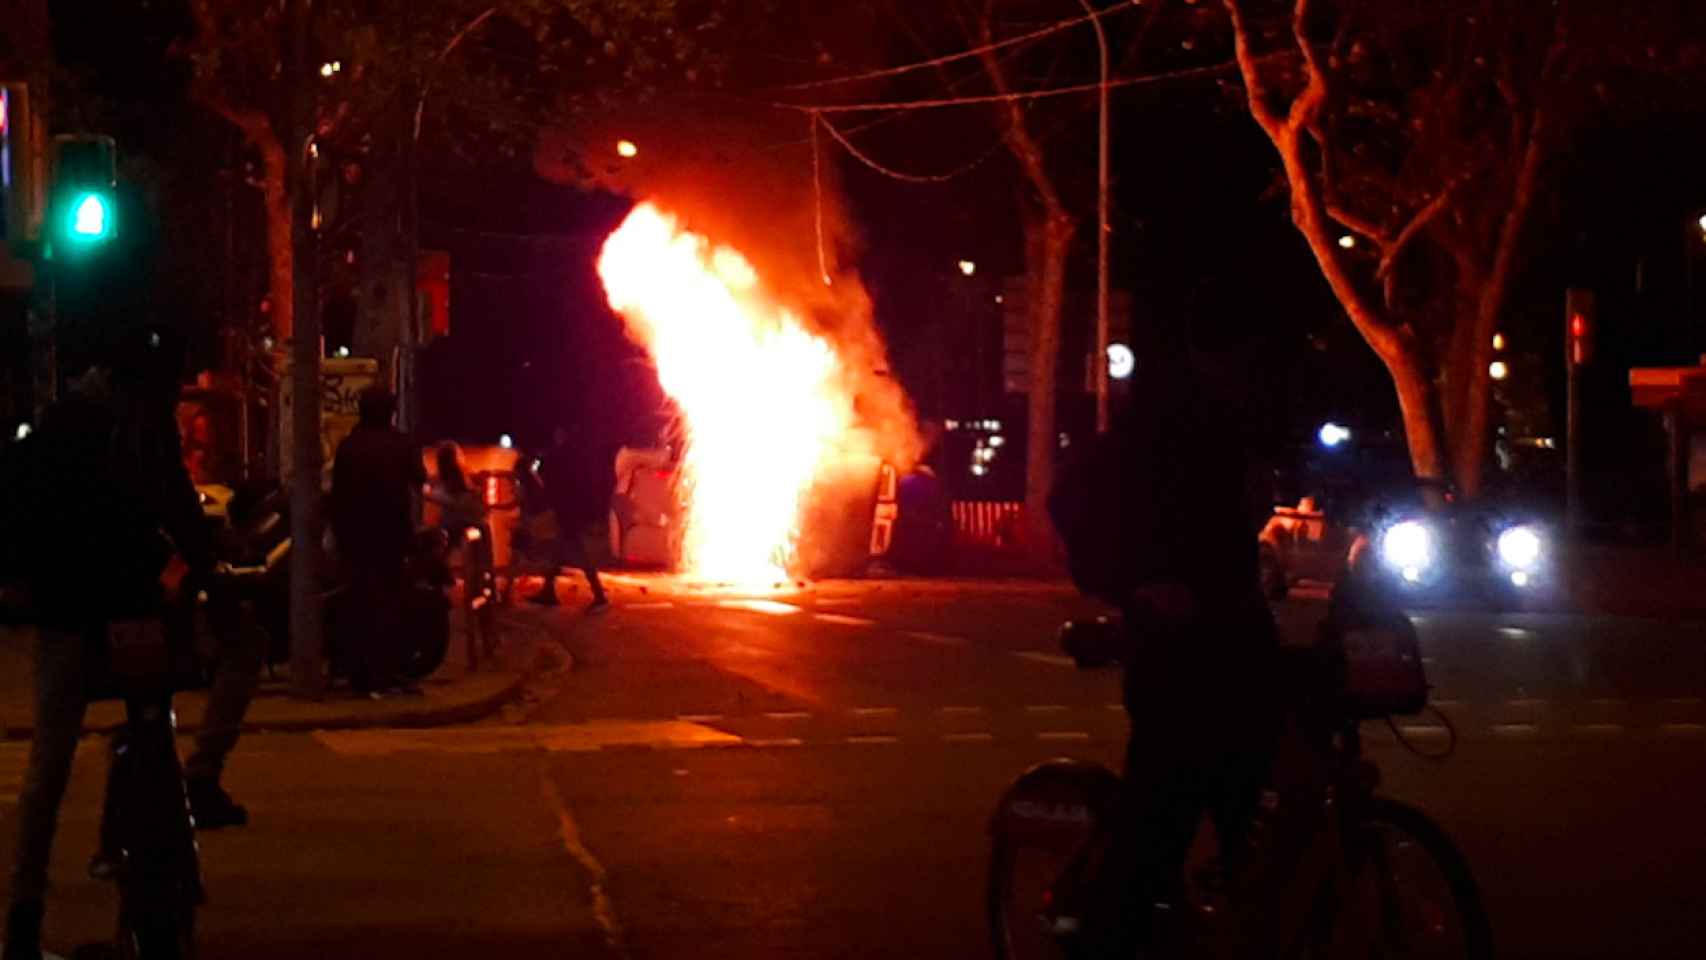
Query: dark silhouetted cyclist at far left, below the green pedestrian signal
[(108, 502)]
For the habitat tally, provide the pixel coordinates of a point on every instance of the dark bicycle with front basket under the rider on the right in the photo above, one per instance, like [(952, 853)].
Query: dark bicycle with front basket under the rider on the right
[(1328, 867)]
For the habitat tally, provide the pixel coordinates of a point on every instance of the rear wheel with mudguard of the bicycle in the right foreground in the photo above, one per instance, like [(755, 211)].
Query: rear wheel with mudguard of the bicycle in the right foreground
[(1045, 830)]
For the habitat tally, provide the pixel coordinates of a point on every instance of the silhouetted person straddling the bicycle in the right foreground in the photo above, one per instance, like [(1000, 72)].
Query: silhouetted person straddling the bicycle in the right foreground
[(1159, 521)]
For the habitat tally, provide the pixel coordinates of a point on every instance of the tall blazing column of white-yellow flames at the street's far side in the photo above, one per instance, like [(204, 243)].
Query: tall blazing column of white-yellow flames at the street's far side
[(762, 398)]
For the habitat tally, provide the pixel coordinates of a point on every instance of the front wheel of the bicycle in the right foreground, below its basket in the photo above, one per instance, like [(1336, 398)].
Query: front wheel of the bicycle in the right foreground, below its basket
[(1407, 894)]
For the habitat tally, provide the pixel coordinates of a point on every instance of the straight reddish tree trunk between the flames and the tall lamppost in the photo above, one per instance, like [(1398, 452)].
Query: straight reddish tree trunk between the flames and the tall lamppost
[(1048, 245)]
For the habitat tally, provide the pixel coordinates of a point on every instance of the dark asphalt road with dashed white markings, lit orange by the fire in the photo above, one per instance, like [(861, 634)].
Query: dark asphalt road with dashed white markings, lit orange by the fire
[(811, 778)]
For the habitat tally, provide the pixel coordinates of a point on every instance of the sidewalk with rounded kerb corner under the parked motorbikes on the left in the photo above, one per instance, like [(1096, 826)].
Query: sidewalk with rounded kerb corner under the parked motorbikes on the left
[(450, 697)]
